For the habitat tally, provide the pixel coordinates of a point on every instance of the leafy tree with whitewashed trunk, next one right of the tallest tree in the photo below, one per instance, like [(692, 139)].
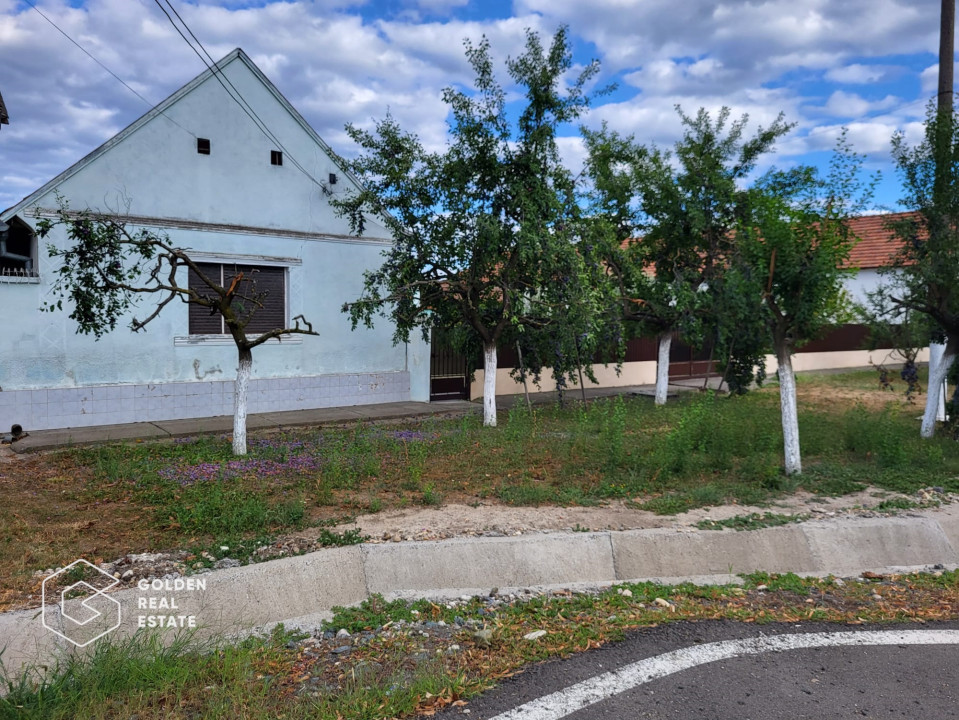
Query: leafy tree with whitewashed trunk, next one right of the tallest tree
[(684, 204)]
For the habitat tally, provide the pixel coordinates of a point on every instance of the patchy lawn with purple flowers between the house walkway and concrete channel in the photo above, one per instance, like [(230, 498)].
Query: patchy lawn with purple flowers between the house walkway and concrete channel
[(103, 502)]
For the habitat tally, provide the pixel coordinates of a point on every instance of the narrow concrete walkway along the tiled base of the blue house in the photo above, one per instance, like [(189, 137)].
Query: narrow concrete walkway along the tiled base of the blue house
[(160, 429)]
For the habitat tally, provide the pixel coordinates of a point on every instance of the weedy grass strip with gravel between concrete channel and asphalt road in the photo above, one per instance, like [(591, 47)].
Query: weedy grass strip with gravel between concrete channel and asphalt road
[(406, 658)]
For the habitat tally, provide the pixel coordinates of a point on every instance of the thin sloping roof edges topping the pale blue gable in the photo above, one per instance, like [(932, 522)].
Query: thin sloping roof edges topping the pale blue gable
[(158, 110)]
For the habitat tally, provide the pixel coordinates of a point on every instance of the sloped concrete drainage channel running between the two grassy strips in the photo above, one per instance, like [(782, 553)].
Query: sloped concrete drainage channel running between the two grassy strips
[(301, 590)]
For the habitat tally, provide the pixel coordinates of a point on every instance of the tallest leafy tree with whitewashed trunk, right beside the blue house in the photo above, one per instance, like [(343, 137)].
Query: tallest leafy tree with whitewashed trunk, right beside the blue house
[(485, 232)]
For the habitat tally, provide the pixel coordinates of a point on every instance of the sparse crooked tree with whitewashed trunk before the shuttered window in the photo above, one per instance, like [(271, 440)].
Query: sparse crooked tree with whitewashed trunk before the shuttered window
[(107, 268)]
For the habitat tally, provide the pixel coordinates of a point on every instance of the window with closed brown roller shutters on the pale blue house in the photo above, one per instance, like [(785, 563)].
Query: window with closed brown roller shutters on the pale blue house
[(266, 283)]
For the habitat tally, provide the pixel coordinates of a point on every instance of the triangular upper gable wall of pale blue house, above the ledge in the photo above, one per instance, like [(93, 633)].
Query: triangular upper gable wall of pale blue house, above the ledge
[(156, 171)]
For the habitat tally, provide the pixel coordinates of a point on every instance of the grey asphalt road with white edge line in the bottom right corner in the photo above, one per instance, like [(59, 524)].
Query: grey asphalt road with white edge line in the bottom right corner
[(727, 670)]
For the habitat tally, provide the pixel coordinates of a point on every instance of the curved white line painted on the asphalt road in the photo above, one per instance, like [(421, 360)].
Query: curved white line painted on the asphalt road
[(576, 697)]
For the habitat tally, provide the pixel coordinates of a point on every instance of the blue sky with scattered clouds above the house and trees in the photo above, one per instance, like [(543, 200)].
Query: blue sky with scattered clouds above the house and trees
[(869, 65)]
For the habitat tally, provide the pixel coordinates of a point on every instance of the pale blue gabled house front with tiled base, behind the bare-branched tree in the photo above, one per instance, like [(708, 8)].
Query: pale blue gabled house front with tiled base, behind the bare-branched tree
[(198, 169)]
